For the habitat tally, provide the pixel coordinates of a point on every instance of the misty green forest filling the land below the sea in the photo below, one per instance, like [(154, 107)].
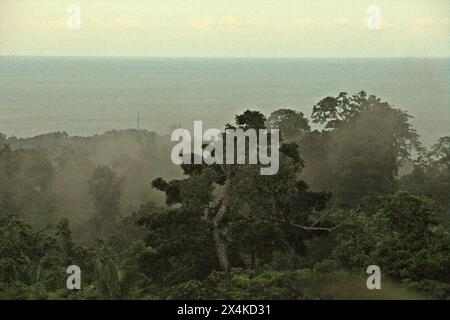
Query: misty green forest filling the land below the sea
[(360, 191)]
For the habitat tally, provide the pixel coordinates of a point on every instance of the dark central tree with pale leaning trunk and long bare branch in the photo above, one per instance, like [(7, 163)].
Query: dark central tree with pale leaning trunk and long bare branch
[(249, 216)]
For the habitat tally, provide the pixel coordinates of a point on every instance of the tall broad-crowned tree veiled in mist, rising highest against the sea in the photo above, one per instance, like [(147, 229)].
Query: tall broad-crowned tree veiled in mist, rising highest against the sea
[(364, 143)]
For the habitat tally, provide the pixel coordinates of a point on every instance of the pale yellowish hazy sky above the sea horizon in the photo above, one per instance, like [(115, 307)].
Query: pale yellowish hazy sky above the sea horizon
[(209, 28)]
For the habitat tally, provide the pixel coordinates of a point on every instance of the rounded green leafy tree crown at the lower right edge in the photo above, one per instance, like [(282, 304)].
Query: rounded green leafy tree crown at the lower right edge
[(405, 237)]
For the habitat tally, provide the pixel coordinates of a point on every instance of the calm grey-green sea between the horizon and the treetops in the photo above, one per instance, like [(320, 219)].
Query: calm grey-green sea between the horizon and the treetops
[(85, 96)]
